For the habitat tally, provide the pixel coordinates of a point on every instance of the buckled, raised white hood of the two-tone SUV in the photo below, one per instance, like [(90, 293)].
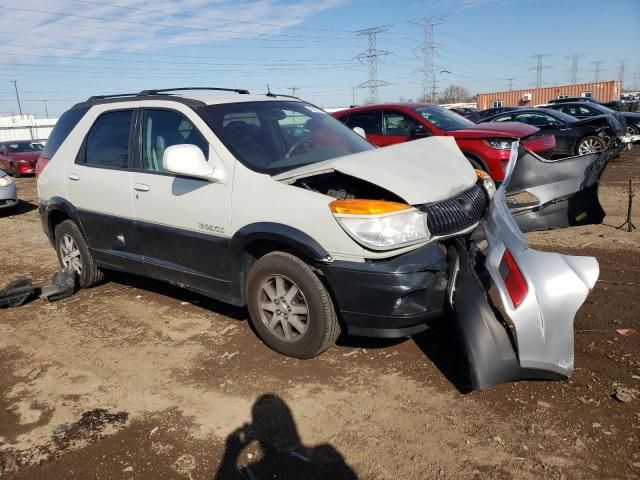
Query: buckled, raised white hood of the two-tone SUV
[(420, 171)]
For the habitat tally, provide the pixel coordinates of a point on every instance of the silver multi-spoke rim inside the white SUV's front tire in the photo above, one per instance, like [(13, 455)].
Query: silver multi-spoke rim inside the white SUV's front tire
[(283, 308)]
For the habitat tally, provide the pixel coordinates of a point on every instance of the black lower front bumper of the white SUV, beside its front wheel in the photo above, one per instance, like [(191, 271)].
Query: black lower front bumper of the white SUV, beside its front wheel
[(390, 298)]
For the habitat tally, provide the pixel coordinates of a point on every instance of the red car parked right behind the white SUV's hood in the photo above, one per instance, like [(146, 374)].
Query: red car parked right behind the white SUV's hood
[(487, 146)]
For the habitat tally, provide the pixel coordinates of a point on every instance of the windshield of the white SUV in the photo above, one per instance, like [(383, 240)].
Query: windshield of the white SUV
[(276, 136)]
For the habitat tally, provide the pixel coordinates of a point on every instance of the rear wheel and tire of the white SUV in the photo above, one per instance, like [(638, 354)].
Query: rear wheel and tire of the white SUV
[(87, 272)]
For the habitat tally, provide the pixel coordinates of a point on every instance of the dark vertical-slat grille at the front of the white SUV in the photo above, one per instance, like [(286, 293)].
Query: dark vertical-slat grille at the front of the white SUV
[(456, 213)]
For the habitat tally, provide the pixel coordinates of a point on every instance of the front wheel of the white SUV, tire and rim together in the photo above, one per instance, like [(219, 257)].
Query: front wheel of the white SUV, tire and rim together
[(270, 280)]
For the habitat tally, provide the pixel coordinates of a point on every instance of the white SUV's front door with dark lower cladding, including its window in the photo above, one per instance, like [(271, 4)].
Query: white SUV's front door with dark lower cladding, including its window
[(182, 223)]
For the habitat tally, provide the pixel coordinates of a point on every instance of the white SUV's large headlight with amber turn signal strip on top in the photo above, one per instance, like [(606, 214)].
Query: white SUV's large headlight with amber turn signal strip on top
[(381, 225)]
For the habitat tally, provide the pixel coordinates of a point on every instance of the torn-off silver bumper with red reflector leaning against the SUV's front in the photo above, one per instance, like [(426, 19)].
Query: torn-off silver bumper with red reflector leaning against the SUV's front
[(515, 306)]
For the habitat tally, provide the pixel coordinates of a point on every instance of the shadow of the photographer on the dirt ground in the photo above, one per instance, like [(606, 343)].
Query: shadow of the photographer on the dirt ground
[(281, 453)]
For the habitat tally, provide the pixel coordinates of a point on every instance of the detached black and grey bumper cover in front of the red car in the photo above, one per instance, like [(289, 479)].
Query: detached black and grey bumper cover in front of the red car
[(547, 194)]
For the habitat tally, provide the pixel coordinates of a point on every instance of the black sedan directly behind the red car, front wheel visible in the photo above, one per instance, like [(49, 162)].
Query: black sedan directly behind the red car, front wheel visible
[(573, 136)]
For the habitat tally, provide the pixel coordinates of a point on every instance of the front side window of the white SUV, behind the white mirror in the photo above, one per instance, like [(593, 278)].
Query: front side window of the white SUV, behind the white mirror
[(162, 129)]
